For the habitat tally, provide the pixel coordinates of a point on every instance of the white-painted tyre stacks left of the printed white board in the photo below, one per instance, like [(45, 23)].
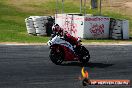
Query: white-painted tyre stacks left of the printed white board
[(38, 25)]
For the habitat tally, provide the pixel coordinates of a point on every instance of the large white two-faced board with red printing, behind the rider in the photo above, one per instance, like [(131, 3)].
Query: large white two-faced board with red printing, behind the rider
[(84, 26)]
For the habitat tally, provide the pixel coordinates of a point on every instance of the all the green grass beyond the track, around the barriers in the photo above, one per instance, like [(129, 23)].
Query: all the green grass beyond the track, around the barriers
[(12, 25)]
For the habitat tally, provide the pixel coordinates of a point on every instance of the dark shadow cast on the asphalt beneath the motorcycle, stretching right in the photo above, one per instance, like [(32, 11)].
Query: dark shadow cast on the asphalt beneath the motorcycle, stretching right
[(91, 65)]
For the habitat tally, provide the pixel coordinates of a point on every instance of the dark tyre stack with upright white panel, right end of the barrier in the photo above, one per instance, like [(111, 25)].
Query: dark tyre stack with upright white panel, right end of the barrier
[(119, 29)]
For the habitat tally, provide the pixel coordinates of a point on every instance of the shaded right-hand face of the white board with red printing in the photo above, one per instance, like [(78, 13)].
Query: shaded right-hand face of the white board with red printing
[(96, 27)]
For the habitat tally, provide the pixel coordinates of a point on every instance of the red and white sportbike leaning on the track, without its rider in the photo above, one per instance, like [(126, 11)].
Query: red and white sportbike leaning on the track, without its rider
[(61, 50)]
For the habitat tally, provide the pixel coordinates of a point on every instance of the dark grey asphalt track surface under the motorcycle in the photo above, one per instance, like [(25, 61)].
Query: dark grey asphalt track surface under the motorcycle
[(30, 67)]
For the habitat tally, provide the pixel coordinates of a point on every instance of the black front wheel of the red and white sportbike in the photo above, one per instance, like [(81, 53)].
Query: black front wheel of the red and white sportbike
[(56, 56)]
